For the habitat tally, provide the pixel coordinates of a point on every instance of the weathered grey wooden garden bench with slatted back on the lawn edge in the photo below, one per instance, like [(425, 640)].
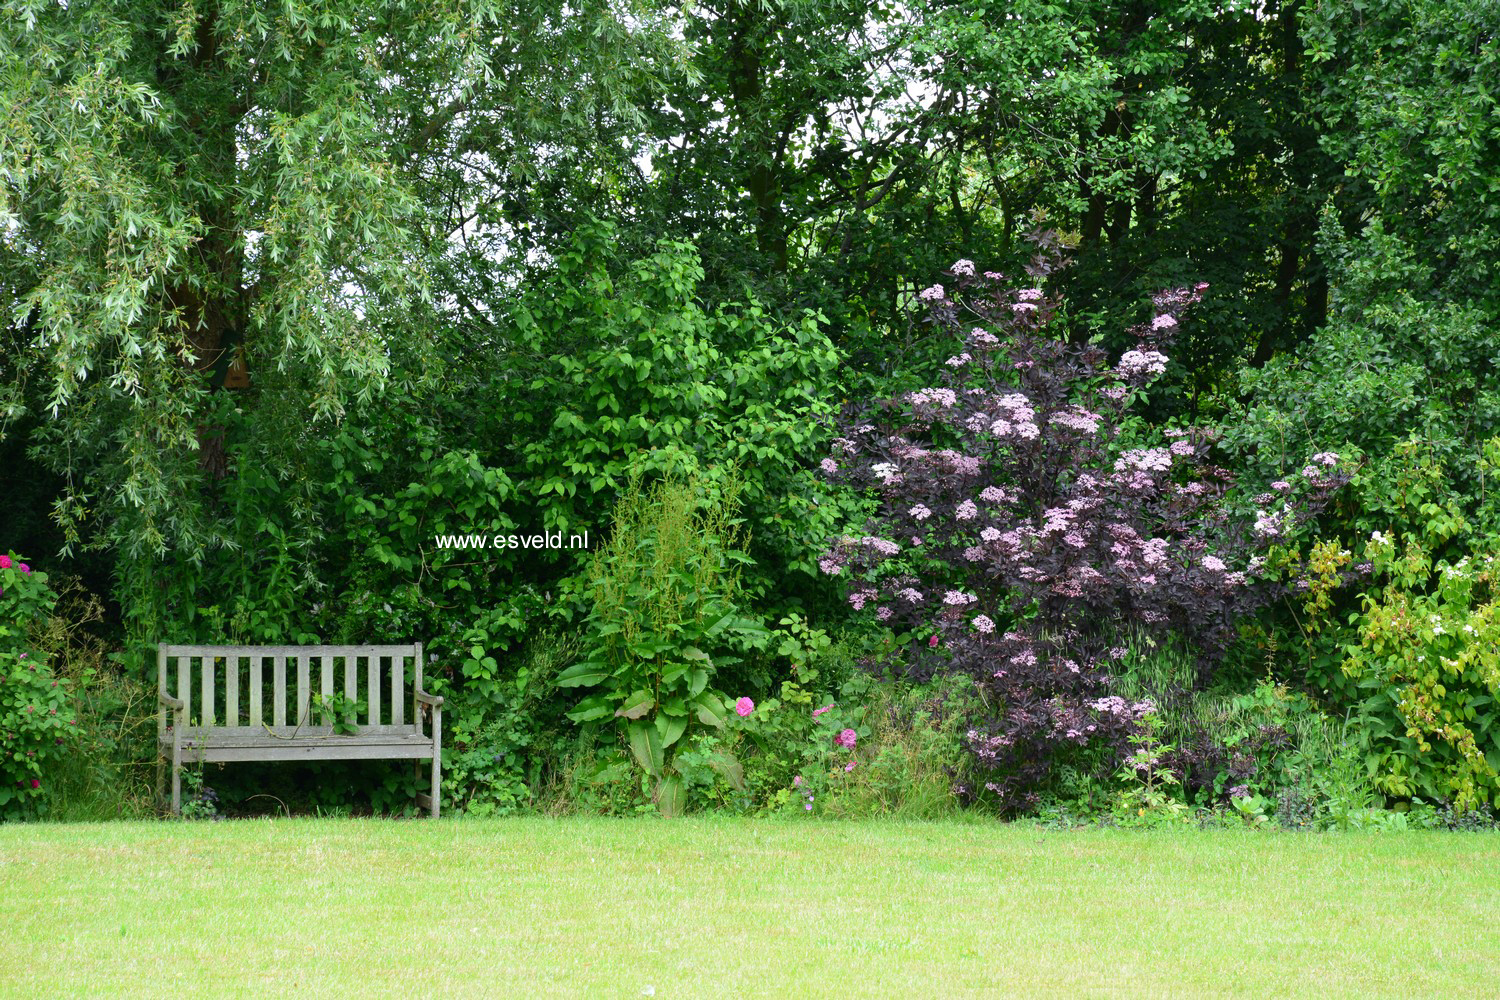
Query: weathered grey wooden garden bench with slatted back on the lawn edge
[(223, 717)]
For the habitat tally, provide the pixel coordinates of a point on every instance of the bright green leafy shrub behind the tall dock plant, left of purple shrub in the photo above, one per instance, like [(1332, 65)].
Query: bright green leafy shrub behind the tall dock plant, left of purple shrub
[(626, 371)]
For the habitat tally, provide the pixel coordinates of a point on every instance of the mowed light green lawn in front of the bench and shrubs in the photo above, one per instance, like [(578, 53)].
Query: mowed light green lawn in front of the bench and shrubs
[(739, 908)]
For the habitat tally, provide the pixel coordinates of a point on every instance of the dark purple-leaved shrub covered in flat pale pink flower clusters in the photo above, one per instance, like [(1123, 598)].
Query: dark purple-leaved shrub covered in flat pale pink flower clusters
[(1021, 537)]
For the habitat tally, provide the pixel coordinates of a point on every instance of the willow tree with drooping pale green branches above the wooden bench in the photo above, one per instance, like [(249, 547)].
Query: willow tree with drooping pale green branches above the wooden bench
[(224, 208)]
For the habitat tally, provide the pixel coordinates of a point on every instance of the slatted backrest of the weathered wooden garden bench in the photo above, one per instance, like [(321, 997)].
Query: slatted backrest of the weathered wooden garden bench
[(280, 686)]
